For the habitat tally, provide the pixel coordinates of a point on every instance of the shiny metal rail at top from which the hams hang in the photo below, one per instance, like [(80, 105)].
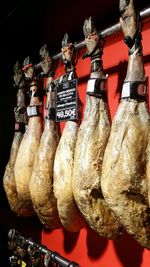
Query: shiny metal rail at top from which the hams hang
[(108, 31)]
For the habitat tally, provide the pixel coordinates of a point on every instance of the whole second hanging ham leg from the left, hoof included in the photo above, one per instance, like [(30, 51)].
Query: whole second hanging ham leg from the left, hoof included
[(30, 142)]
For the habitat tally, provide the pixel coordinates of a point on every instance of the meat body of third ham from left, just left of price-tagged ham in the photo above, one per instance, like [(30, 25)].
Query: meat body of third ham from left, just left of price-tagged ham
[(41, 182)]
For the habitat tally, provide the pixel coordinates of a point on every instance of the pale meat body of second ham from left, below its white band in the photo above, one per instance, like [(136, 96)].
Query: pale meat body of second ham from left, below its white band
[(25, 159)]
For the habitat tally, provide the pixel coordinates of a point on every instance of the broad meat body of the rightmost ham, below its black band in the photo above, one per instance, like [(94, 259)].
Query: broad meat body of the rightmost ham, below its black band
[(123, 173)]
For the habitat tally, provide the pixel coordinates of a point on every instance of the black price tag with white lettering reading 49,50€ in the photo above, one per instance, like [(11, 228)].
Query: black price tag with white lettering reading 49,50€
[(66, 101)]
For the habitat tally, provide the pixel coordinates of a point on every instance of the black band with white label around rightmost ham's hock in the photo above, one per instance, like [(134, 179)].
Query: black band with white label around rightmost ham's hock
[(134, 90)]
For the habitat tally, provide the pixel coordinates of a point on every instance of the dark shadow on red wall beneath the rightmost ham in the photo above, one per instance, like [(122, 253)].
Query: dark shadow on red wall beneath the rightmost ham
[(129, 251)]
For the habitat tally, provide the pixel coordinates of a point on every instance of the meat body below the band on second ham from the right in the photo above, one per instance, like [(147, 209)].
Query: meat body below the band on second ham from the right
[(91, 142)]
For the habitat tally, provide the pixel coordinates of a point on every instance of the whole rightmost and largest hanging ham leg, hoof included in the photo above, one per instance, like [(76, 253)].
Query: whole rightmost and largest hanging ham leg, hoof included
[(124, 166)]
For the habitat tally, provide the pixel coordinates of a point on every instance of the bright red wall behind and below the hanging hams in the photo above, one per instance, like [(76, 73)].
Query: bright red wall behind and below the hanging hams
[(86, 247)]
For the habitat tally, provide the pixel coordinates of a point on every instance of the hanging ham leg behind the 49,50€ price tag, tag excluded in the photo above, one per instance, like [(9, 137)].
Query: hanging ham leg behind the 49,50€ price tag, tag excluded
[(69, 214)]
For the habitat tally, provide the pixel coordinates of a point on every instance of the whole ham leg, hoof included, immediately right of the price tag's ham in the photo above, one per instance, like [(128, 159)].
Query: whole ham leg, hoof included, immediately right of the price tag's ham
[(91, 142)]
